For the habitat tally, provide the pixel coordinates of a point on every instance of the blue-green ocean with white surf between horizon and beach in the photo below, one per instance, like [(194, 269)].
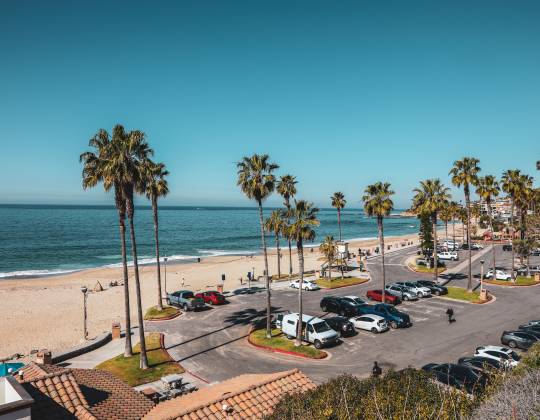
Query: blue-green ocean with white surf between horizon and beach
[(40, 240)]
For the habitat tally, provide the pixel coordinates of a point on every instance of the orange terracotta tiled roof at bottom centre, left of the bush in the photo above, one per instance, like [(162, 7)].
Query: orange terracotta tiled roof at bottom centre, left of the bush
[(251, 396)]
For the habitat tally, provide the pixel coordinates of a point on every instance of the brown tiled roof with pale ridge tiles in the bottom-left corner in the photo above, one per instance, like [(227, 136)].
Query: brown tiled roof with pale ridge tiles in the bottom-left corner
[(87, 394)]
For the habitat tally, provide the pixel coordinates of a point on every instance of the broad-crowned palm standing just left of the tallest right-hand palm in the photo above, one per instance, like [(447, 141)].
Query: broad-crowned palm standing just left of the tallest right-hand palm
[(431, 198)]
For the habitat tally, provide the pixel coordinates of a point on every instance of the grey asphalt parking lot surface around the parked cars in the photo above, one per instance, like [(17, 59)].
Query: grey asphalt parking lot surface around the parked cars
[(212, 344)]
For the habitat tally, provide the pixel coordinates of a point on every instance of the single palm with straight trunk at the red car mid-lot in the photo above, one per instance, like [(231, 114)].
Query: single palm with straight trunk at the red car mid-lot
[(378, 203)]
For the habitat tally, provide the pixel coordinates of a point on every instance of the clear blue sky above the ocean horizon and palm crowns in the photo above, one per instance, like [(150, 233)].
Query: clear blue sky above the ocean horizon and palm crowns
[(340, 94)]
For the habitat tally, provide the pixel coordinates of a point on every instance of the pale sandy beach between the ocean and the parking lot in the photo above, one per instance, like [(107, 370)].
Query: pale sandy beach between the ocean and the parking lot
[(46, 312)]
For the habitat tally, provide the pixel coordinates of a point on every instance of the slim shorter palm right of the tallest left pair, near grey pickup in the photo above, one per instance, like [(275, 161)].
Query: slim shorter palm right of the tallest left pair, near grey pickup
[(156, 187)]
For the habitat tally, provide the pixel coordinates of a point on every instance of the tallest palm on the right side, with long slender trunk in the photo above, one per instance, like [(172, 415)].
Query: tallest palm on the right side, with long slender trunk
[(464, 174)]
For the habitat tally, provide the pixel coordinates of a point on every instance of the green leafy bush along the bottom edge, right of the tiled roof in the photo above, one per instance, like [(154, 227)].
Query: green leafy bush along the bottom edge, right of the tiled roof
[(407, 394)]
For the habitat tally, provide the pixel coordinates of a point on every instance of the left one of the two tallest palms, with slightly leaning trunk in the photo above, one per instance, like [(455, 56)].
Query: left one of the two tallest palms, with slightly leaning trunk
[(98, 166)]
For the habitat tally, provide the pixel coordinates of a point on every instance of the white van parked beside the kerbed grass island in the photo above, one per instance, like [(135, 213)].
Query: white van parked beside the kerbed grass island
[(316, 330)]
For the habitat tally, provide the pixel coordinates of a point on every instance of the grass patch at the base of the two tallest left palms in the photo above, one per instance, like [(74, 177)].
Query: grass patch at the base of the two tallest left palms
[(127, 368)]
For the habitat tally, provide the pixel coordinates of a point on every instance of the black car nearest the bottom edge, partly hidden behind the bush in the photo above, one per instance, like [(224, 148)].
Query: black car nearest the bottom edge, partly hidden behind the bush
[(462, 377)]
